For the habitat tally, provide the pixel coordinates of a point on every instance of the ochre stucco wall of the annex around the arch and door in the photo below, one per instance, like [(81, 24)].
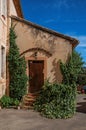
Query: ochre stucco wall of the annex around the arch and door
[(32, 37)]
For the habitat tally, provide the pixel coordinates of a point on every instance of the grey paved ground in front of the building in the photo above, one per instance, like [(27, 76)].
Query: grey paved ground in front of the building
[(11, 119)]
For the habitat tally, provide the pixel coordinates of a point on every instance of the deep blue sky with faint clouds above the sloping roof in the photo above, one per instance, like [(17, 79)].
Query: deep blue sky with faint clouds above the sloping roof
[(64, 16)]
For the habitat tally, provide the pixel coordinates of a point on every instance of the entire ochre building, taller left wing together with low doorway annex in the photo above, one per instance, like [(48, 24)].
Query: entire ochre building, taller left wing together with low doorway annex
[(42, 48)]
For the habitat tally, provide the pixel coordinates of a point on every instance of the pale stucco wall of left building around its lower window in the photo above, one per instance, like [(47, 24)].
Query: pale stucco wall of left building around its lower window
[(3, 39)]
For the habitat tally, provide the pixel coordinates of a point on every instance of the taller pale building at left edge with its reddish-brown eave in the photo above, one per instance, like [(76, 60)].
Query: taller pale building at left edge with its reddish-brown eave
[(7, 8)]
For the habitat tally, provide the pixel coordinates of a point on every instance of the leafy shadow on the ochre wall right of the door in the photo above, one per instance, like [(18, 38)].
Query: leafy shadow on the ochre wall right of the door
[(57, 76)]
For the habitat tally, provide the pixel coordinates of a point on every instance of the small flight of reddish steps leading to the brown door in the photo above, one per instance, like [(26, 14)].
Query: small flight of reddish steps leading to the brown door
[(28, 100)]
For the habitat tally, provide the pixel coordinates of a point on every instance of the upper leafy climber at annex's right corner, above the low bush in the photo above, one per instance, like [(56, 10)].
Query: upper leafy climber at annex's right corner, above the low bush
[(72, 69)]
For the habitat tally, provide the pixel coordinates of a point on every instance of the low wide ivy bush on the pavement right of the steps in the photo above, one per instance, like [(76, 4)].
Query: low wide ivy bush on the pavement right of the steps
[(56, 101)]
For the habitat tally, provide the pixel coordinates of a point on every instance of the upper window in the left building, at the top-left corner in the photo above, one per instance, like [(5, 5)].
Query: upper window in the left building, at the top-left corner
[(3, 4)]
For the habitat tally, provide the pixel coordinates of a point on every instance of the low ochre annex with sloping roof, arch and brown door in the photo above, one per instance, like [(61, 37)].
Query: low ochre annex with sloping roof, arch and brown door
[(43, 49)]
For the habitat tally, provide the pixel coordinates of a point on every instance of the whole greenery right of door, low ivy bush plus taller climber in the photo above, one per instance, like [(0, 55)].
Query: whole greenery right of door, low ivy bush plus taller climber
[(58, 100)]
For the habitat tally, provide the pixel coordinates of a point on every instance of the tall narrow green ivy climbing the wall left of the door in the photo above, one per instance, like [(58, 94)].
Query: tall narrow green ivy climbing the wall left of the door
[(17, 69)]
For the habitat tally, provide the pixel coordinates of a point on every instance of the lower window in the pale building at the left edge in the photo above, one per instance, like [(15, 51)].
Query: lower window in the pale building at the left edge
[(2, 61)]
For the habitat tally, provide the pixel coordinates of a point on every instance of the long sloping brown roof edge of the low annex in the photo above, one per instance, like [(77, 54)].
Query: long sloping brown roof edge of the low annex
[(73, 41)]
